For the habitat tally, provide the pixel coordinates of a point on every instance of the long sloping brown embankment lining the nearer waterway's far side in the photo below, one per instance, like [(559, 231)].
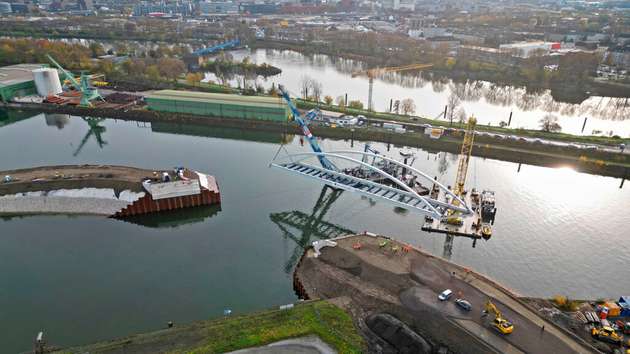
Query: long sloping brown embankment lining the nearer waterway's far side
[(597, 162)]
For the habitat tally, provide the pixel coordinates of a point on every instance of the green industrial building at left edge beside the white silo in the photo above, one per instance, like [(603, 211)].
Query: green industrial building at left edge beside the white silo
[(17, 80)]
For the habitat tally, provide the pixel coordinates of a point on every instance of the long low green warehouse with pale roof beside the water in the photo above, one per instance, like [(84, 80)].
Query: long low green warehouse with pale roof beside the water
[(218, 105)]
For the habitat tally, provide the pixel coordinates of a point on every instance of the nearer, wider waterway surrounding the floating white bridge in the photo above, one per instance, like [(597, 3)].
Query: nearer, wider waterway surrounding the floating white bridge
[(85, 278)]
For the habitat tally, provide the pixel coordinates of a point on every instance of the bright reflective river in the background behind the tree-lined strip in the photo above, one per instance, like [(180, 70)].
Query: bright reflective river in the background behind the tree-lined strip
[(490, 103)]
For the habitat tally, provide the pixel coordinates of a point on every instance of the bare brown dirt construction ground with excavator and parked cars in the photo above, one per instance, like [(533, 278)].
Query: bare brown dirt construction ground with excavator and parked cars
[(385, 276)]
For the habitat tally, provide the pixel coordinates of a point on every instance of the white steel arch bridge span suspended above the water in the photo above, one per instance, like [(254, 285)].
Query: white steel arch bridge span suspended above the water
[(394, 191)]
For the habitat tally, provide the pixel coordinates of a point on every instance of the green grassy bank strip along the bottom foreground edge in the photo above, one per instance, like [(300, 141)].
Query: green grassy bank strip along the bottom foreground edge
[(329, 322)]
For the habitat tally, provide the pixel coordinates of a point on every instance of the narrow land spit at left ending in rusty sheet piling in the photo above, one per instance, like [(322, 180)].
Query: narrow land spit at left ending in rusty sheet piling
[(113, 191)]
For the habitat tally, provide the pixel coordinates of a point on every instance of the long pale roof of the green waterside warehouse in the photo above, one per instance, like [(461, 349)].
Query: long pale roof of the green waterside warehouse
[(221, 98)]
